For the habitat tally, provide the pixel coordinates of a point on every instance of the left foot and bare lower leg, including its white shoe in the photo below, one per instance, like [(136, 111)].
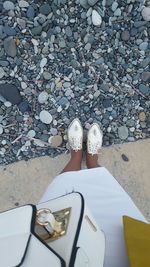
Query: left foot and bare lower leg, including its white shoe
[(75, 140)]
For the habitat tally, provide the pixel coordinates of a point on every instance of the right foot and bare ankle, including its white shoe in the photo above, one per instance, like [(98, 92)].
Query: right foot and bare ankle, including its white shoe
[(94, 144)]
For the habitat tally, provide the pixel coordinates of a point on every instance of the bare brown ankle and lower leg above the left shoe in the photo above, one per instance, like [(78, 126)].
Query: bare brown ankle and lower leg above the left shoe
[(75, 162)]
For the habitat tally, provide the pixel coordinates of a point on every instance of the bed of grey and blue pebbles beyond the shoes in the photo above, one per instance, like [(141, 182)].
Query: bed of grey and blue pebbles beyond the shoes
[(60, 59)]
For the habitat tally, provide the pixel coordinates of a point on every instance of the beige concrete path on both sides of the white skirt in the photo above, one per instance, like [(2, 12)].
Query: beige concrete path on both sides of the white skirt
[(24, 182)]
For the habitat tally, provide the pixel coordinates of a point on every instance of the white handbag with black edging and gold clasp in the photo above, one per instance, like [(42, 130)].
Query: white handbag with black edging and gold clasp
[(57, 233)]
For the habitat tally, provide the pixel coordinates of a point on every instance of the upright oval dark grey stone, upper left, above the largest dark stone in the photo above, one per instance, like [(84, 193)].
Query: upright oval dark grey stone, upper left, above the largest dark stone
[(10, 47)]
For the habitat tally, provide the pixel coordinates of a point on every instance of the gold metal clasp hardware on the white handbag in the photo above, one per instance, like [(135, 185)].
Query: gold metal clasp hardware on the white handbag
[(60, 226)]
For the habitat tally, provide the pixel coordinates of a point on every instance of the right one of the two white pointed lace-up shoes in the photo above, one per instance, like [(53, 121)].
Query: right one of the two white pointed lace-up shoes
[(94, 139)]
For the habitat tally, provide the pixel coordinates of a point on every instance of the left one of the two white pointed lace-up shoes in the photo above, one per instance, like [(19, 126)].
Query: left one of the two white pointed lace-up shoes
[(75, 135)]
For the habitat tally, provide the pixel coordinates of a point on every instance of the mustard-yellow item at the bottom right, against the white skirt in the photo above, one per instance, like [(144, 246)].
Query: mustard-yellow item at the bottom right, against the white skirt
[(137, 238)]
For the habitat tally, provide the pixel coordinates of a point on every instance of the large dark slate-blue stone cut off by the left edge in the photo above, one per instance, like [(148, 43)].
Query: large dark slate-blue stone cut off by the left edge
[(11, 93)]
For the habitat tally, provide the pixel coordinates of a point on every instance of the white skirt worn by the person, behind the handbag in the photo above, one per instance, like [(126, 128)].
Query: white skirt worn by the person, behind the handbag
[(107, 201)]
